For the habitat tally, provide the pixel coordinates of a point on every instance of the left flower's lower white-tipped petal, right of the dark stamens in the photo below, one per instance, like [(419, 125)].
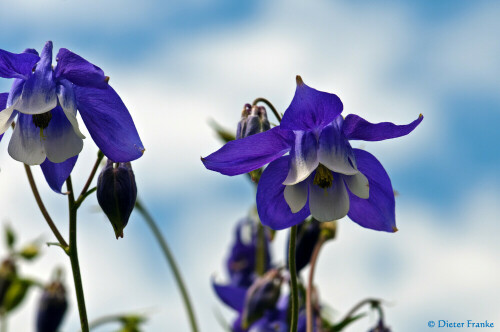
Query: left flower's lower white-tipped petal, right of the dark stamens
[(61, 142)]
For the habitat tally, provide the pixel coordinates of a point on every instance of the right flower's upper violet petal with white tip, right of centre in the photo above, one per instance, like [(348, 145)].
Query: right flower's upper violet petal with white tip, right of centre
[(335, 152)]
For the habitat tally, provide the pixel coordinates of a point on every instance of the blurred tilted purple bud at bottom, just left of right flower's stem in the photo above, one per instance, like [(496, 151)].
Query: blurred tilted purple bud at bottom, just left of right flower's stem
[(261, 296)]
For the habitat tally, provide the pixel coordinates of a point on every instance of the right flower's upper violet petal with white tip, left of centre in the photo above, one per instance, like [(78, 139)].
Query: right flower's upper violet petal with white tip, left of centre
[(303, 157)]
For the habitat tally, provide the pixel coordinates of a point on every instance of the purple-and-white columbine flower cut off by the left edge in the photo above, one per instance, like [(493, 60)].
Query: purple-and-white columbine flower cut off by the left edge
[(45, 101)]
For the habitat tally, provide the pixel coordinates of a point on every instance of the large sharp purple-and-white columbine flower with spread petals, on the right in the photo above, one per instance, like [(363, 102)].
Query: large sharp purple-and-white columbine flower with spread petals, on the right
[(313, 170)]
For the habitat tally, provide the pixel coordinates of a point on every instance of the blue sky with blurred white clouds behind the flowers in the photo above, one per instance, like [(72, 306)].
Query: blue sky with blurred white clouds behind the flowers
[(179, 64)]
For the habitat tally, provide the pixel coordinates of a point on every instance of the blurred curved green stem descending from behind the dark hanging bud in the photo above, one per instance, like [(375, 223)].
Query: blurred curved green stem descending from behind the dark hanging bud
[(171, 261)]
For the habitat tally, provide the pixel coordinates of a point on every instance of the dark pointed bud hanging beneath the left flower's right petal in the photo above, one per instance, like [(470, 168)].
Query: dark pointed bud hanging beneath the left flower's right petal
[(117, 193)]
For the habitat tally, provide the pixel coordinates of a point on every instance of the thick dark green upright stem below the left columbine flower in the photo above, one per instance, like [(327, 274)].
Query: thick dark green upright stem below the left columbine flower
[(73, 256)]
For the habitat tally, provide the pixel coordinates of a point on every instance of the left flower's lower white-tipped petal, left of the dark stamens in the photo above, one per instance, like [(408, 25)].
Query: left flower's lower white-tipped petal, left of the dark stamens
[(26, 144)]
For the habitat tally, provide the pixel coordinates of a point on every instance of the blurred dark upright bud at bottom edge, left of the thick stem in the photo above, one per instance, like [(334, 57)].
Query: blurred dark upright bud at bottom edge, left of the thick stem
[(51, 308)]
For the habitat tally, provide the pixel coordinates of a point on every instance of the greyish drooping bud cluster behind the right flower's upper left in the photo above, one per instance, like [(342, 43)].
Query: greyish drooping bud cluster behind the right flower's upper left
[(253, 121)]
